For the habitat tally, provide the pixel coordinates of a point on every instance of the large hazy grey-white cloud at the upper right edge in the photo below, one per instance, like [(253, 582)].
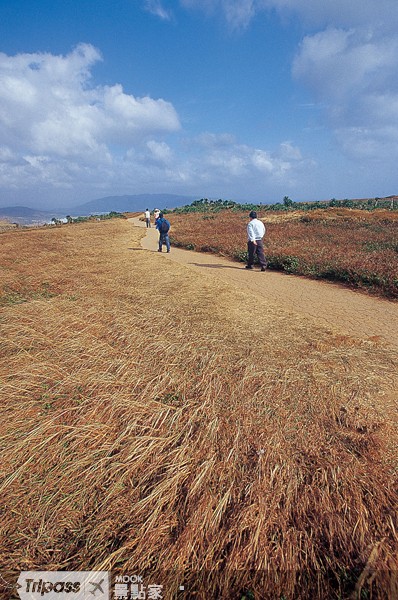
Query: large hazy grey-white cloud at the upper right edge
[(354, 73)]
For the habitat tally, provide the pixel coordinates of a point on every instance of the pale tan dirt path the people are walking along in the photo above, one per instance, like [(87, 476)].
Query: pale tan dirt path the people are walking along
[(353, 313)]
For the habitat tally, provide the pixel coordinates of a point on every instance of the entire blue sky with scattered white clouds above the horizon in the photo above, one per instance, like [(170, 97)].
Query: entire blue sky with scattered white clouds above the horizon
[(245, 100)]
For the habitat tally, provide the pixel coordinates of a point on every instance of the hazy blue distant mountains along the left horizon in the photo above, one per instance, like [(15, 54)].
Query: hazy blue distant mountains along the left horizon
[(134, 203)]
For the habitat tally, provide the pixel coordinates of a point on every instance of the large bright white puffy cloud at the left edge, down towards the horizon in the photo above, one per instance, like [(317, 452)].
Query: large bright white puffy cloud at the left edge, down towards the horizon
[(57, 128)]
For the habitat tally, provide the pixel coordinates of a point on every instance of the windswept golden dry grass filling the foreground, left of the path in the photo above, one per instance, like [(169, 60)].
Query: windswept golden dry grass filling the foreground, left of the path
[(155, 422)]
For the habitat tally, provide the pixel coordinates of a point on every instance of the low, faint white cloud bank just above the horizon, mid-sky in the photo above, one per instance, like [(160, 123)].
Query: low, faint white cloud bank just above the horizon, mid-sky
[(216, 165)]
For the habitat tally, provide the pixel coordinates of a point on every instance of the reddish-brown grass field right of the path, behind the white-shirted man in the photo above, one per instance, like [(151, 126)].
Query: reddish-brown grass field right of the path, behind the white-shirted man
[(356, 247)]
